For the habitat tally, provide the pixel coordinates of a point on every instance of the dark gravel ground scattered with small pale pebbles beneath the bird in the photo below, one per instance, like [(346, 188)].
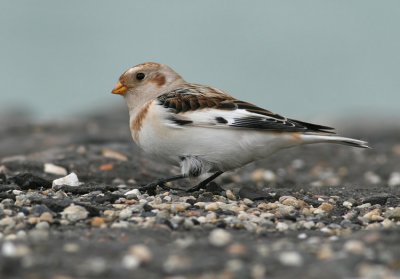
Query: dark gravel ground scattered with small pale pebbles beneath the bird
[(322, 211)]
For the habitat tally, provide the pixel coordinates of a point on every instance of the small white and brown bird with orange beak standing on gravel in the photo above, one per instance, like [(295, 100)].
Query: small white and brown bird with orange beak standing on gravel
[(203, 129)]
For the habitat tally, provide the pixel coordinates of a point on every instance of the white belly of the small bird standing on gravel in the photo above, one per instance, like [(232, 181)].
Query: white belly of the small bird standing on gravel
[(226, 148)]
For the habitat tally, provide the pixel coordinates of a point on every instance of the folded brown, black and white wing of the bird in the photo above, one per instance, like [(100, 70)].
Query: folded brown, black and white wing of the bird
[(197, 105)]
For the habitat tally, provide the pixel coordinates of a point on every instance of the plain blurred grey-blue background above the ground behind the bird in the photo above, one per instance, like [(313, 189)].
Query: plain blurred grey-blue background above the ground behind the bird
[(303, 59)]
